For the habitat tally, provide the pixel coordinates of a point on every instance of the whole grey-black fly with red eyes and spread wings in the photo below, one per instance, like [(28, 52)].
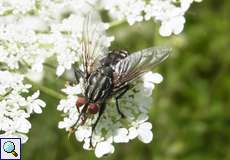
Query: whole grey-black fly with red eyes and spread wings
[(110, 76)]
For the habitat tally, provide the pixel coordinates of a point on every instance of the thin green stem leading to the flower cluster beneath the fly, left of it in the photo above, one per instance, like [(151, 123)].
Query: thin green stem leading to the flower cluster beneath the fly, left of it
[(45, 89)]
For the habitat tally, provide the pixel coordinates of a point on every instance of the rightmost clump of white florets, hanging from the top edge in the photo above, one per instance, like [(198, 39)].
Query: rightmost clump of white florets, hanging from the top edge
[(170, 13)]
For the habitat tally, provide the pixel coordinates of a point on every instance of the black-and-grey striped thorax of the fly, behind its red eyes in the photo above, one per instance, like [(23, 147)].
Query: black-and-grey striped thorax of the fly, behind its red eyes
[(99, 85)]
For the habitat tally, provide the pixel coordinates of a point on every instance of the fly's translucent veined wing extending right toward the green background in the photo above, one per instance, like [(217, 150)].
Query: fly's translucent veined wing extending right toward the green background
[(133, 66)]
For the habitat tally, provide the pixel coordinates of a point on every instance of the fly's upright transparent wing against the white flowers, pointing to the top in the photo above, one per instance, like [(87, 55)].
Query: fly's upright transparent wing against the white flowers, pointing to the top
[(93, 42)]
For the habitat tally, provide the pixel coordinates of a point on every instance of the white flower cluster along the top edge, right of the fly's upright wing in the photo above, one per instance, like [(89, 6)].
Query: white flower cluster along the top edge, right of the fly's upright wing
[(170, 13)]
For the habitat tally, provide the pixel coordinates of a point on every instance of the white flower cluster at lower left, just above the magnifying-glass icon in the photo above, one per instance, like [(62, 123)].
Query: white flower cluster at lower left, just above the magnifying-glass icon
[(15, 109)]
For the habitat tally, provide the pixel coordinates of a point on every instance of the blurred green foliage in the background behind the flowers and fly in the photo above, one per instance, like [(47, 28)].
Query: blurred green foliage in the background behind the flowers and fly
[(191, 111)]
